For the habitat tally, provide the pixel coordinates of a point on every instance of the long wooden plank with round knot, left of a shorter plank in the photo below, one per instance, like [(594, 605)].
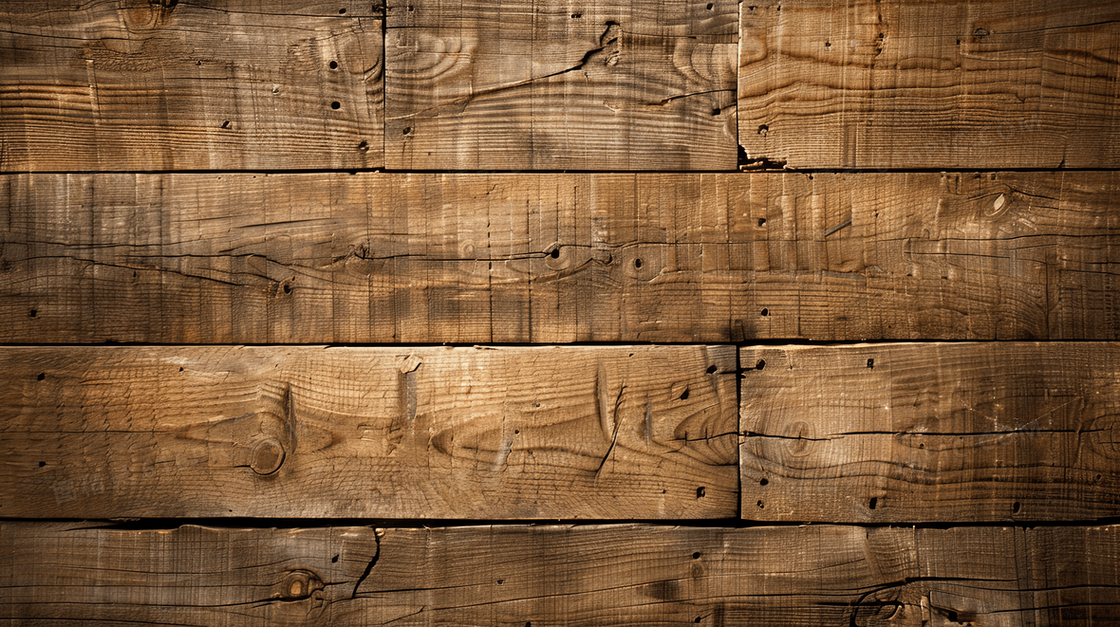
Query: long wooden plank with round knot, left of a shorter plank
[(546, 433)]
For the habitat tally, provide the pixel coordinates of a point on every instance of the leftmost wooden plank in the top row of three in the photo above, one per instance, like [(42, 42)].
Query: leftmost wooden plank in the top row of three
[(166, 86)]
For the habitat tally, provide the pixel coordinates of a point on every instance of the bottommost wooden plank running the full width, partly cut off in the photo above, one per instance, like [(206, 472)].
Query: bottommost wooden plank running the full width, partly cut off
[(516, 576)]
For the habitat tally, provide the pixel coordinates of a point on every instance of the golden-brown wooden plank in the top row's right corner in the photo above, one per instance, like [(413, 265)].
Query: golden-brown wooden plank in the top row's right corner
[(916, 85)]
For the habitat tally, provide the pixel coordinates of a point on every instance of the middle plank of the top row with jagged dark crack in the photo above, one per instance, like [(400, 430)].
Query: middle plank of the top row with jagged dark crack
[(620, 85)]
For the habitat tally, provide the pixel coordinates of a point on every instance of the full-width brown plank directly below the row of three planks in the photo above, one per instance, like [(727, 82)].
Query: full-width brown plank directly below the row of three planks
[(387, 258)]
